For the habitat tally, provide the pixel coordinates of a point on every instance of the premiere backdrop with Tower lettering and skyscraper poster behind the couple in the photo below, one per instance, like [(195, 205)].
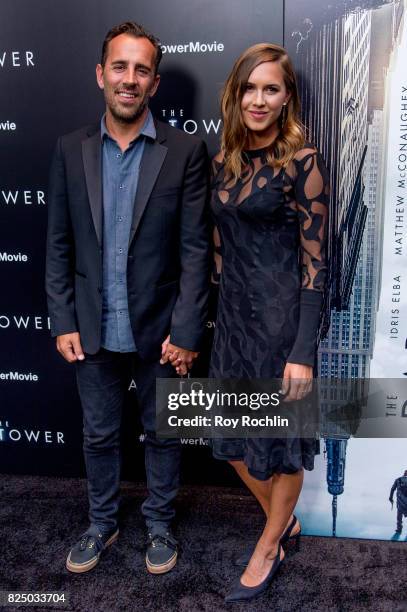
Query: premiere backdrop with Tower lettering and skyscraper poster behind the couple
[(349, 58)]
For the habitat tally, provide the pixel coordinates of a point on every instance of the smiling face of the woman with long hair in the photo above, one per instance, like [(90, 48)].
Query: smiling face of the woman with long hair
[(263, 98)]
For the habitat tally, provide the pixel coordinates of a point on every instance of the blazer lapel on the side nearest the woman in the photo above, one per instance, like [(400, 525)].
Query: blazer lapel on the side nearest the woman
[(153, 157)]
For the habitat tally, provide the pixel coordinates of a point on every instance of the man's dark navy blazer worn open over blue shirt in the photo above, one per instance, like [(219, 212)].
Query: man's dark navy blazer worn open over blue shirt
[(167, 268)]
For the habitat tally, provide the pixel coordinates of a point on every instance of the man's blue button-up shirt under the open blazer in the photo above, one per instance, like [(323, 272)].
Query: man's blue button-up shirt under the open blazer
[(120, 180)]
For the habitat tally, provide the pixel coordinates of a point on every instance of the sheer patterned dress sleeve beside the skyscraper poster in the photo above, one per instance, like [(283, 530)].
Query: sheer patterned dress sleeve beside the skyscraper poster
[(312, 201)]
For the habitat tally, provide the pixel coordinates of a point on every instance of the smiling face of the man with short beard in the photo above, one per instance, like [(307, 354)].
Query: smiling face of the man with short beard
[(128, 78)]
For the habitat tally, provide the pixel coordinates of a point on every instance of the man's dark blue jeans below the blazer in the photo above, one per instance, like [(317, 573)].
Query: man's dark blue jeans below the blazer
[(102, 382)]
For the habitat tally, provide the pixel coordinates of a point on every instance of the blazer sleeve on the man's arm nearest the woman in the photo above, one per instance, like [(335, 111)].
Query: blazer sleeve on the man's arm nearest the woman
[(190, 311)]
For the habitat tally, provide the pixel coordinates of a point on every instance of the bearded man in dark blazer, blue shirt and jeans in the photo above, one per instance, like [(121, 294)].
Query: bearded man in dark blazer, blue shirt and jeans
[(127, 280)]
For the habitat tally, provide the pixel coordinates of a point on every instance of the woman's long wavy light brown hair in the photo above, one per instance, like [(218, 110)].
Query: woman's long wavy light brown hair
[(291, 136)]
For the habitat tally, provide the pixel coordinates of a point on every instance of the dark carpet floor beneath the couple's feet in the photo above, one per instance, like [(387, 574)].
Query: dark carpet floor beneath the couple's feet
[(41, 517)]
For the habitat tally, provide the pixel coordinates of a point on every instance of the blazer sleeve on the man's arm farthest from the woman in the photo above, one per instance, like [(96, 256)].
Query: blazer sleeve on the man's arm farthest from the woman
[(59, 276)]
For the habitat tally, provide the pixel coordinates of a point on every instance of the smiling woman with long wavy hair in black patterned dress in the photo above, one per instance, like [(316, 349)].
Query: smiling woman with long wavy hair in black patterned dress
[(270, 203)]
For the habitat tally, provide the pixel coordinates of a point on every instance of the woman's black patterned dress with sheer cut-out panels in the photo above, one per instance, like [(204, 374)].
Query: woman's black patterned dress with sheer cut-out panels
[(270, 242)]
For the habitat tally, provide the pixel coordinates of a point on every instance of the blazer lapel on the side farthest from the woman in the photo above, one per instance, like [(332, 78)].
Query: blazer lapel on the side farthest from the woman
[(92, 162)]
